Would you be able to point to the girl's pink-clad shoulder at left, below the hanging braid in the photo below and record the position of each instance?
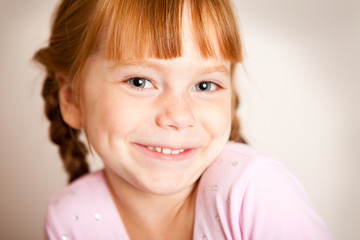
(82, 210)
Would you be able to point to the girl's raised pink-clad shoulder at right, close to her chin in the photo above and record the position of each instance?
(249, 195)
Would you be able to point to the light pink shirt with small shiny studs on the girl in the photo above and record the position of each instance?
(242, 195)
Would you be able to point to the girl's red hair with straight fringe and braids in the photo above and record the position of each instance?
(129, 29)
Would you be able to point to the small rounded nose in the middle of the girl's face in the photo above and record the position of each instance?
(175, 112)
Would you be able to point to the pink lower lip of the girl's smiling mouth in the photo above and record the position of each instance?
(166, 157)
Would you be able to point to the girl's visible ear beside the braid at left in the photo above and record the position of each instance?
(69, 108)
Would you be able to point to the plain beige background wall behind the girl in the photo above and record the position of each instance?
(300, 104)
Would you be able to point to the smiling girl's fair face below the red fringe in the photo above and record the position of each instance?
(157, 124)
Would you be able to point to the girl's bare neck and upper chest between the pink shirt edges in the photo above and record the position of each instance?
(157, 215)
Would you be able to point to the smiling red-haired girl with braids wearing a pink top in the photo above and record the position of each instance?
(150, 84)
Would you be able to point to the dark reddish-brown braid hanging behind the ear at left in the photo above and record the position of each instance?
(72, 151)
